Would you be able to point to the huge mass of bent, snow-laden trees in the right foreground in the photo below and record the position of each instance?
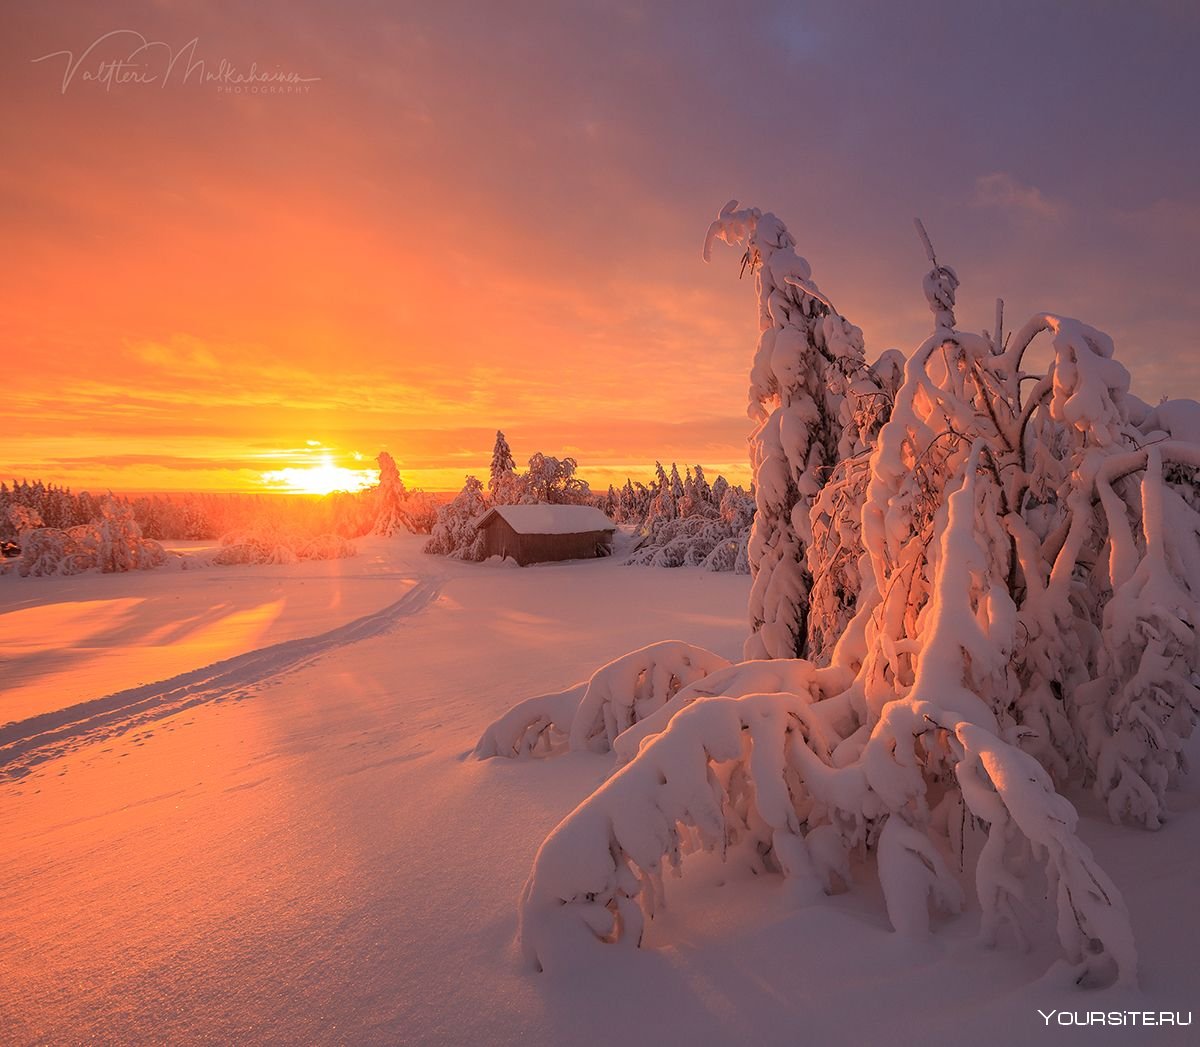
(1025, 555)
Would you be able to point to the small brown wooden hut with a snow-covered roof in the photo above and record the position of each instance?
(541, 534)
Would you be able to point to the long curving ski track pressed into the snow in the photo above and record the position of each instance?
(27, 744)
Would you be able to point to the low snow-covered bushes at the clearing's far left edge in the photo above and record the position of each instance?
(111, 543)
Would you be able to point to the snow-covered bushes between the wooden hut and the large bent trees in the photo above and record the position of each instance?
(688, 523)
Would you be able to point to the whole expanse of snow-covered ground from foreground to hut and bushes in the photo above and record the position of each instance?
(291, 845)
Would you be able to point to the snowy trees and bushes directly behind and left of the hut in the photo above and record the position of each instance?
(548, 480)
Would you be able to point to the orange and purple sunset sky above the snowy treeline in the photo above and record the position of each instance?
(469, 217)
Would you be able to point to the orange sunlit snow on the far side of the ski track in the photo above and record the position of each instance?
(65, 641)
